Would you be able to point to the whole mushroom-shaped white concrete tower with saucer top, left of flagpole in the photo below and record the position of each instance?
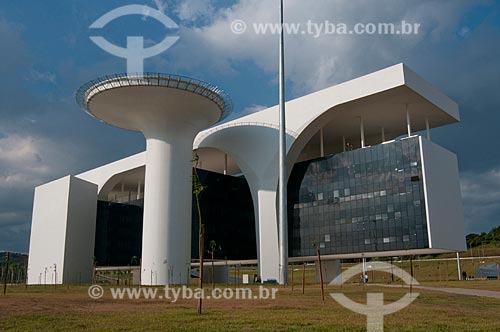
(170, 111)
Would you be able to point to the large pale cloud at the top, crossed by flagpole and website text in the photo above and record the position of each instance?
(312, 63)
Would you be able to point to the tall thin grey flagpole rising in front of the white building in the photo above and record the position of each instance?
(283, 225)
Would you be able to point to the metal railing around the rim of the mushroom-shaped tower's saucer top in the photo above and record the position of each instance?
(87, 91)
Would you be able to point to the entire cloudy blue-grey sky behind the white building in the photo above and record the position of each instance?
(46, 54)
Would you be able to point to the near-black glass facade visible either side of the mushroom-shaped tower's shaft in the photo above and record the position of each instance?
(227, 212)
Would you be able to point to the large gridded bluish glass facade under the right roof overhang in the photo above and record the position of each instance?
(365, 200)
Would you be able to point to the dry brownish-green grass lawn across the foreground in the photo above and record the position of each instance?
(41, 308)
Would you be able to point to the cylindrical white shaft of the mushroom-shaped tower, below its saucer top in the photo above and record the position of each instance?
(166, 244)
